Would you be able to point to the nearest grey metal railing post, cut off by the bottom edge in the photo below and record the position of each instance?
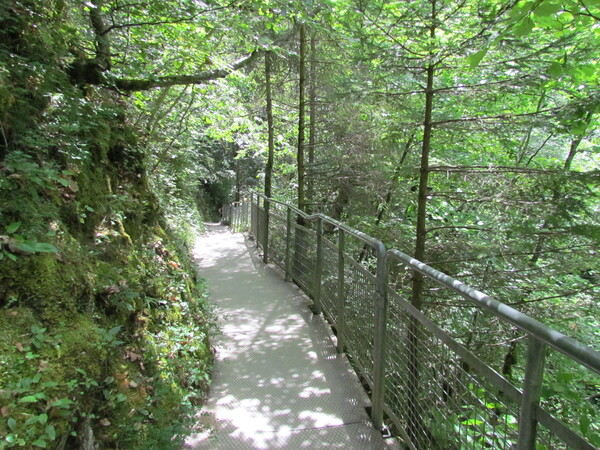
(532, 387)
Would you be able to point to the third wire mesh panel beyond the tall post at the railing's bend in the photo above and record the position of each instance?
(304, 258)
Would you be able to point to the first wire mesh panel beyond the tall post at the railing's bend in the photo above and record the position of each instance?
(359, 315)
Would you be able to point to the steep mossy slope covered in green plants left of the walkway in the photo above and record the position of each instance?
(103, 326)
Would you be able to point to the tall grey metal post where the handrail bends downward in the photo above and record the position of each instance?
(379, 340)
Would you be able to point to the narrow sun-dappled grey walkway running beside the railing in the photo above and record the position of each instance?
(278, 381)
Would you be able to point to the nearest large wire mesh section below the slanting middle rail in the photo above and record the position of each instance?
(436, 399)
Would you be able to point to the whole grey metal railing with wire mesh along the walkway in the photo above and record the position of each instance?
(436, 387)
